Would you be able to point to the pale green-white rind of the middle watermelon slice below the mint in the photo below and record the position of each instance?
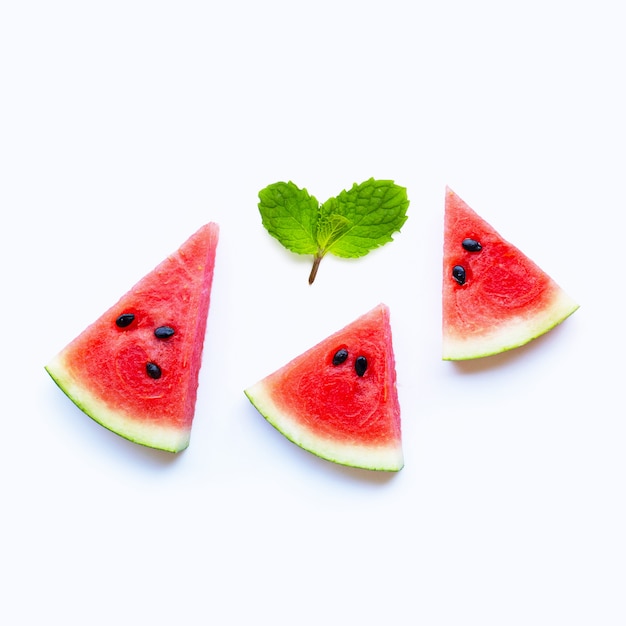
(370, 457)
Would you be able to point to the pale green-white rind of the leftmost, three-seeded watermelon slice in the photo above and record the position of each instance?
(149, 434)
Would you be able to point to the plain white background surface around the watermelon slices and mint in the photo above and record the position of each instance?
(126, 125)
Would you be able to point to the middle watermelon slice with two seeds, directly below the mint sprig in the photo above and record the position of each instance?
(339, 400)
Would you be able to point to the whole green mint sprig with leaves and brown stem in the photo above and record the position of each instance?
(349, 225)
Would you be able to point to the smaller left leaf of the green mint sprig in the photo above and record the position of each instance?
(290, 215)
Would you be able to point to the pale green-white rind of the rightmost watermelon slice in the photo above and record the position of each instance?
(512, 333)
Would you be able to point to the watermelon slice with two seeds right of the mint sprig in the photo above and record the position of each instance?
(494, 297)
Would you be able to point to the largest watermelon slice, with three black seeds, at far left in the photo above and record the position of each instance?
(135, 369)
